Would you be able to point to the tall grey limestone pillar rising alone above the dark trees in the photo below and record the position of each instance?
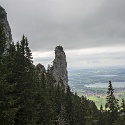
(60, 66)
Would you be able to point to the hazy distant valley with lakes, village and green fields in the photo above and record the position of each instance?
(93, 83)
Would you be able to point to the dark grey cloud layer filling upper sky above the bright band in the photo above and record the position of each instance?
(73, 24)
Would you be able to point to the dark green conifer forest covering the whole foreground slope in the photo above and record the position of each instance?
(28, 95)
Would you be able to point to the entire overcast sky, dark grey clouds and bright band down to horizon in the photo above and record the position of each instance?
(92, 32)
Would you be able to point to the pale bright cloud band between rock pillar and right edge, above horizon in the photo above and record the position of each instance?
(96, 60)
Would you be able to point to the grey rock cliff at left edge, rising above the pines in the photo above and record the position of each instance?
(6, 28)
